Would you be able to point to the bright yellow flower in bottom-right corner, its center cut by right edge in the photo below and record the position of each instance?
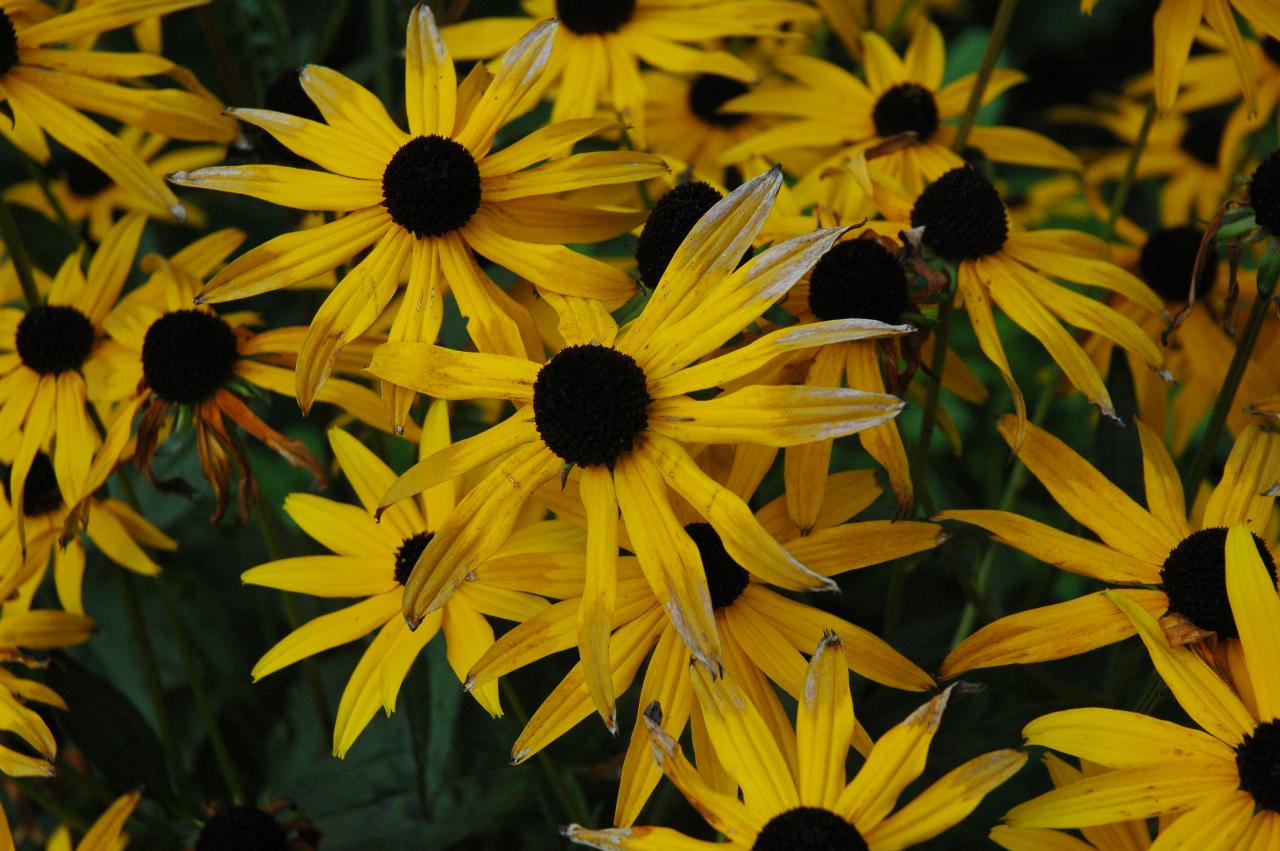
(1220, 777)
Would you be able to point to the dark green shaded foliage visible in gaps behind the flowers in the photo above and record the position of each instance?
(437, 775)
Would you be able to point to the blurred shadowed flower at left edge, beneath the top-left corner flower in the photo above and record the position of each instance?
(85, 194)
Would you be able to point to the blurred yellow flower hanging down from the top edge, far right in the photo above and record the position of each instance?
(1176, 26)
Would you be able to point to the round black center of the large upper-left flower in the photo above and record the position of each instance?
(432, 186)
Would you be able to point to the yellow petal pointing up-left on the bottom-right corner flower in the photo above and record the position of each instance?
(1208, 701)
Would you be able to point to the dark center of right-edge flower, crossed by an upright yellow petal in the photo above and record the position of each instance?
(1195, 579)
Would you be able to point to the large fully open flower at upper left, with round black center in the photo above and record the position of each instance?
(426, 200)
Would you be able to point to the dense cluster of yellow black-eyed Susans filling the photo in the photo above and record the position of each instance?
(743, 227)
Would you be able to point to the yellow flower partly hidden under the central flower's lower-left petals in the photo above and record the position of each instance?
(373, 561)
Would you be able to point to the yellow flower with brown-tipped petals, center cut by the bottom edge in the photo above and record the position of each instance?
(804, 804)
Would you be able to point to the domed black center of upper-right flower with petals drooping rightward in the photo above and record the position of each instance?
(963, 216)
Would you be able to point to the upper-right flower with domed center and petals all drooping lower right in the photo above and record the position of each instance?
(964, 222)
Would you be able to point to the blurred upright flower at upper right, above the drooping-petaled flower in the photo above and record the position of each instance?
(842, 116)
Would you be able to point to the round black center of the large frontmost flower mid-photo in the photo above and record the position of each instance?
(591, 405)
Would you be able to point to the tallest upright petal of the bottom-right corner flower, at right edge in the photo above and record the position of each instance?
(1256, 607)
